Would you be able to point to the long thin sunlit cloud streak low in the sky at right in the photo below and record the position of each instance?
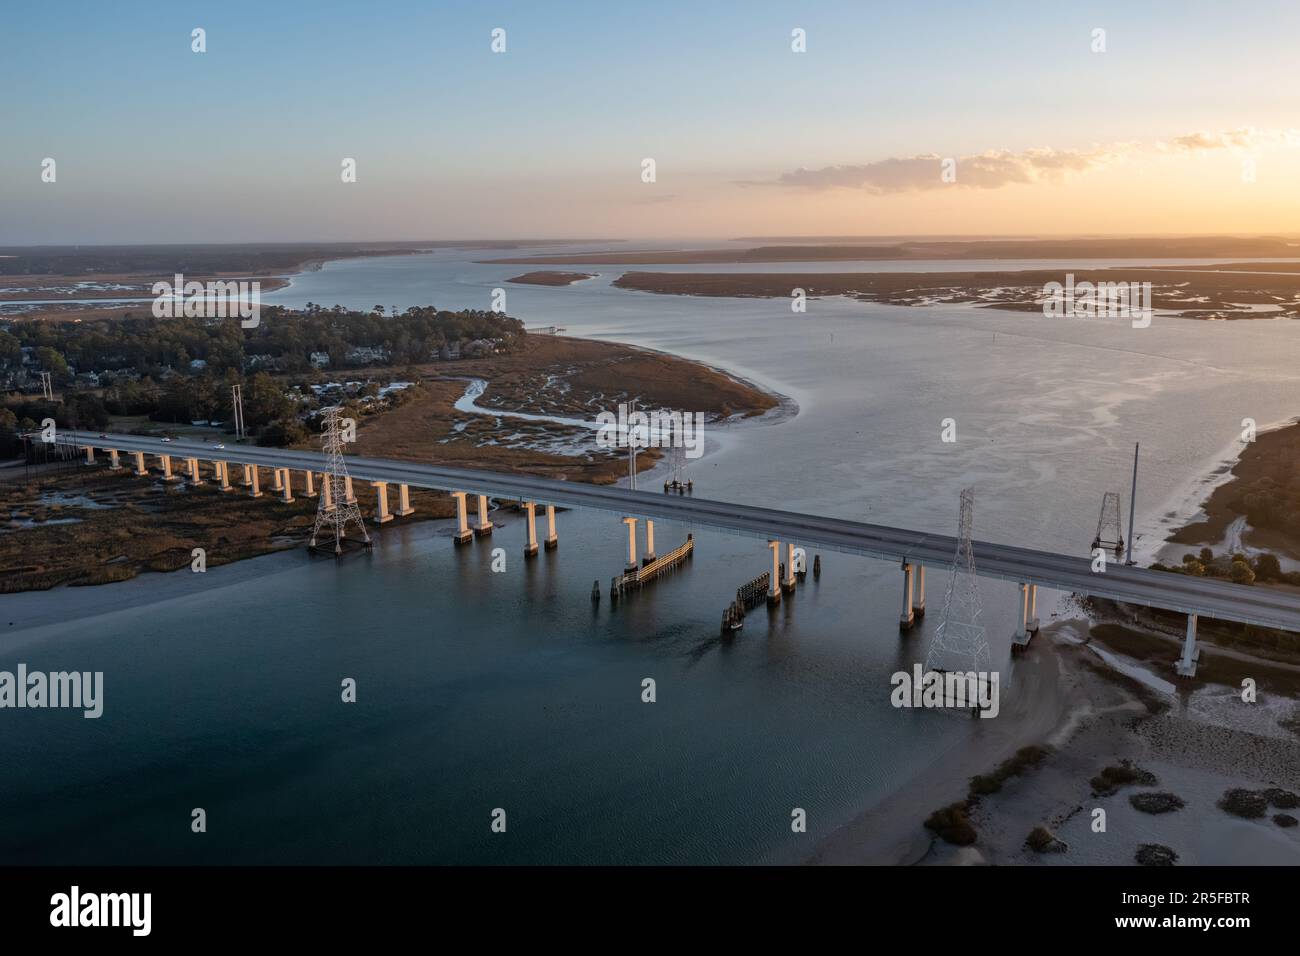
(999, 168)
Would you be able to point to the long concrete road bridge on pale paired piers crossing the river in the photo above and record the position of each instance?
(1028, 568)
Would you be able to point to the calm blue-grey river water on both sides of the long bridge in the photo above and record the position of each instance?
(482, 691)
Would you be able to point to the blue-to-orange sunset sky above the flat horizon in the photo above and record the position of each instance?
(1188, 122)
